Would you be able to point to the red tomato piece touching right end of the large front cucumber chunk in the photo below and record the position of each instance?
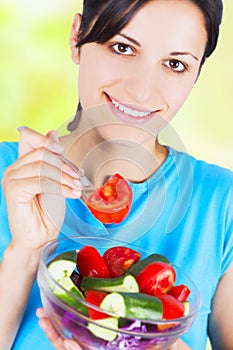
(172, 308)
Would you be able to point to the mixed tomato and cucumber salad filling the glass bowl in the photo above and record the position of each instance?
(125, 288)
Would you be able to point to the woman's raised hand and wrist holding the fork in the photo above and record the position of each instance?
(35, 187)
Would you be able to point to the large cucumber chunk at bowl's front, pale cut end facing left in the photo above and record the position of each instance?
(133, 305)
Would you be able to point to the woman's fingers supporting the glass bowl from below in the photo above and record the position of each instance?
(57, 341)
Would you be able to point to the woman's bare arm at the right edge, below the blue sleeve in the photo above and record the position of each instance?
(221, 318)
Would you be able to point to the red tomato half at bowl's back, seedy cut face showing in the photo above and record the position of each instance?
(120, 259)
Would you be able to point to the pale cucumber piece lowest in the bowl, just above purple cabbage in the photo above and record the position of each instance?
(99, 331)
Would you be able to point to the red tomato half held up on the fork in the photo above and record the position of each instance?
(111, 202)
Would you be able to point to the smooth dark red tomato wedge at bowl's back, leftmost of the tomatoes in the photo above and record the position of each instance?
(90, 263)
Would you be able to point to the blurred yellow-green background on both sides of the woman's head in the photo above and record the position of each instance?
(38, 81)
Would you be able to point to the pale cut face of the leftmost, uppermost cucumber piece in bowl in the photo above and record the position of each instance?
(61, 268)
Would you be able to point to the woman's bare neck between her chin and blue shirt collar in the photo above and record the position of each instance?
(101, 159)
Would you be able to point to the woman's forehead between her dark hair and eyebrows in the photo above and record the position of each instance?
(172, 21)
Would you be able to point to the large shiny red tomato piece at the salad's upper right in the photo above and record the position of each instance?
(156, 278)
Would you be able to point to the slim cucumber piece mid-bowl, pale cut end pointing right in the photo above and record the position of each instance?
(126, 283)
